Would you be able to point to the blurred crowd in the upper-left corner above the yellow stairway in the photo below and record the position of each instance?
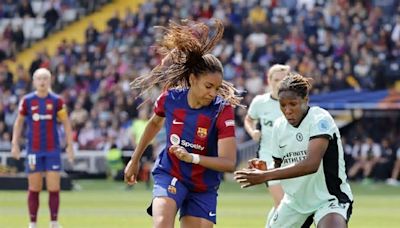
(24, 21)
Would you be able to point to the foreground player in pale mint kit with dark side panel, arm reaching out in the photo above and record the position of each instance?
(308, 150)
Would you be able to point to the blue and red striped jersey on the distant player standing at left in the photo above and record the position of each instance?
(41, 120)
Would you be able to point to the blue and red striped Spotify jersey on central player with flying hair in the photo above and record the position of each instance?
(198, 130)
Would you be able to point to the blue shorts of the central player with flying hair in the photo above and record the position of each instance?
(197, 204)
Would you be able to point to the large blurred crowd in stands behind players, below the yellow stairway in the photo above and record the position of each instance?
(340, 44)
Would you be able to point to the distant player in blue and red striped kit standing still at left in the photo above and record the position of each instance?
(41, 110)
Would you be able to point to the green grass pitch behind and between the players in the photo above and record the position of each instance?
(101, 203)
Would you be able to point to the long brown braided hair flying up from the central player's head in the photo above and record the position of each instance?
(185, 49)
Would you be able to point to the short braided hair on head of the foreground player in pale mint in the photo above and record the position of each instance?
(296, 83)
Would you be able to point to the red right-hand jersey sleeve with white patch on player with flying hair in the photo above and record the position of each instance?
(226, 123)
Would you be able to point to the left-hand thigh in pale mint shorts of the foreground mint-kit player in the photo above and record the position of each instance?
(286, 217)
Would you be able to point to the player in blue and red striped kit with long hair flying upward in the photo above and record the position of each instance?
(196, 109)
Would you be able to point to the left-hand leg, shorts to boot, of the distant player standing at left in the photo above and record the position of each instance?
(34, 168)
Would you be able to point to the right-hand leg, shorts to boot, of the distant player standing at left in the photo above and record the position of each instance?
(53, 179)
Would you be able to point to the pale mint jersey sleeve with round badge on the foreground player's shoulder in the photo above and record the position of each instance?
(322, 126)
